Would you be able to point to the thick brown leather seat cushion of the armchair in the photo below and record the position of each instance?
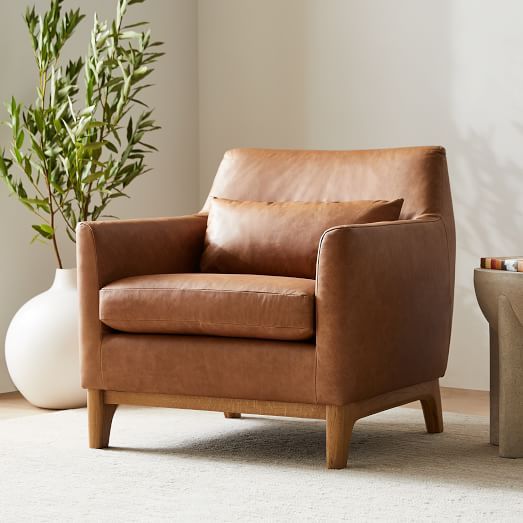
(236, 305)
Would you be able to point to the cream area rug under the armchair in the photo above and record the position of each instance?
(174, 465)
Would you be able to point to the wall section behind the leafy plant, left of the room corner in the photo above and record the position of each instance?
(172, 187)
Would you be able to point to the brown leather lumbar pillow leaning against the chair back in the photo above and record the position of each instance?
(279, 238)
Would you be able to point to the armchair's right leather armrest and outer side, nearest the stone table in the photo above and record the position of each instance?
(384, 295)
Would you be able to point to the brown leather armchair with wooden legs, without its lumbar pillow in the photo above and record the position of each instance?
(379, 309)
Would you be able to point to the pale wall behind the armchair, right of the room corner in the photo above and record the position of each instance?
(358, 74)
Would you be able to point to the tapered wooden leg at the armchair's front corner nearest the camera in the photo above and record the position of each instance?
(338, 434)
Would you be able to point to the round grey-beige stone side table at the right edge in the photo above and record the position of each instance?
(500, 297)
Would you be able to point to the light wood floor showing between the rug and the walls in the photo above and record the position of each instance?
(13, 405)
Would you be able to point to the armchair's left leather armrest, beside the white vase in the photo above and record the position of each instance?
(110, 250)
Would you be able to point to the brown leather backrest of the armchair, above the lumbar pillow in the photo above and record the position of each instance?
(417, 174)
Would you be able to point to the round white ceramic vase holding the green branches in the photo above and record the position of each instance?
(41, 346)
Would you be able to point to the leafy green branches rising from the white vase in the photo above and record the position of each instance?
(73, 152)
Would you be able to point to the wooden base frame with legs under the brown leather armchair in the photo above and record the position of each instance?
(340, 419)
